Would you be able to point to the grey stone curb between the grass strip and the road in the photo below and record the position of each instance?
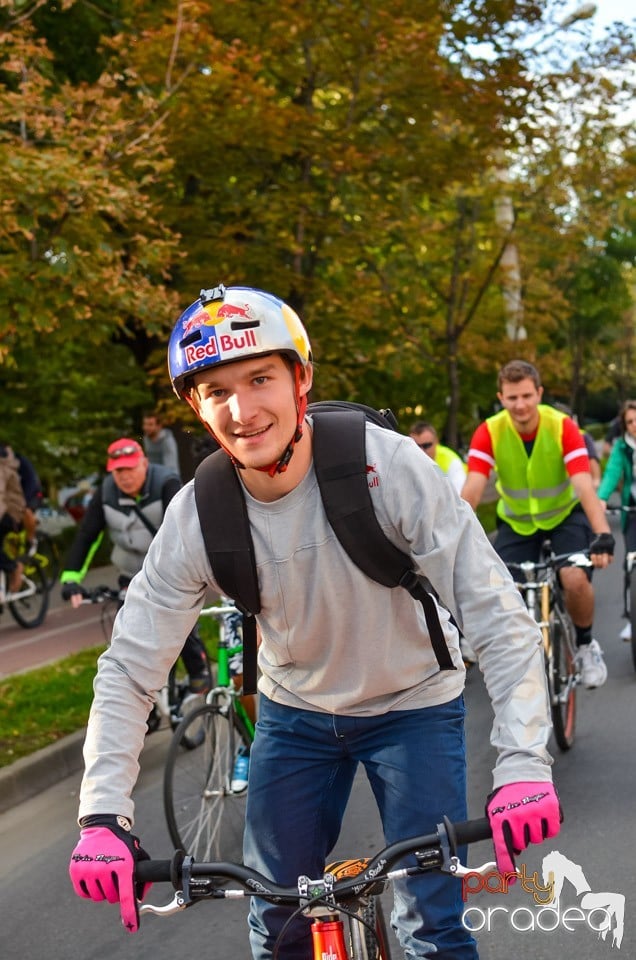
(30, 775)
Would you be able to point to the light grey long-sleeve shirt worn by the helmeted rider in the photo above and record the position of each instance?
(332, 640)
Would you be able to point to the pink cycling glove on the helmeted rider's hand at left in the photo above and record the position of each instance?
(103, 865)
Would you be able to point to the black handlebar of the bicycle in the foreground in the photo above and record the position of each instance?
(437, 846)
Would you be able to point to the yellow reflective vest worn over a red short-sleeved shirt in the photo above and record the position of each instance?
(535, 491)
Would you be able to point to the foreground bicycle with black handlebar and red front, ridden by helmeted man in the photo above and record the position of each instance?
(351, 888)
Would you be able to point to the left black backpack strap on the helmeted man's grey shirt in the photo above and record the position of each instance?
(228, 540)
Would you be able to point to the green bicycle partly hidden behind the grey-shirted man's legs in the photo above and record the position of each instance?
(204, 814)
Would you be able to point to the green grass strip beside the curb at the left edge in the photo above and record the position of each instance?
(44, 705)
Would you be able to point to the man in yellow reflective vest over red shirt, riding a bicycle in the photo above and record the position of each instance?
(545, 492)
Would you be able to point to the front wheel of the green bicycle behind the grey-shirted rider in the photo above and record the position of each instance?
(204, 817)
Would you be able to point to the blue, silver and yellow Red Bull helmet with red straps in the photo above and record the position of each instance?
(233, 323)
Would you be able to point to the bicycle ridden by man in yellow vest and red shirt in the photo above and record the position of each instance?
(543, 596)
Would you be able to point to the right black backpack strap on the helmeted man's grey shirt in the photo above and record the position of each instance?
(341, 468)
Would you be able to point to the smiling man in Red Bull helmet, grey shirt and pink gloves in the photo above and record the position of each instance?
(348, 672)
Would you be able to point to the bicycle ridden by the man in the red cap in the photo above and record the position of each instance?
(175, 697)
